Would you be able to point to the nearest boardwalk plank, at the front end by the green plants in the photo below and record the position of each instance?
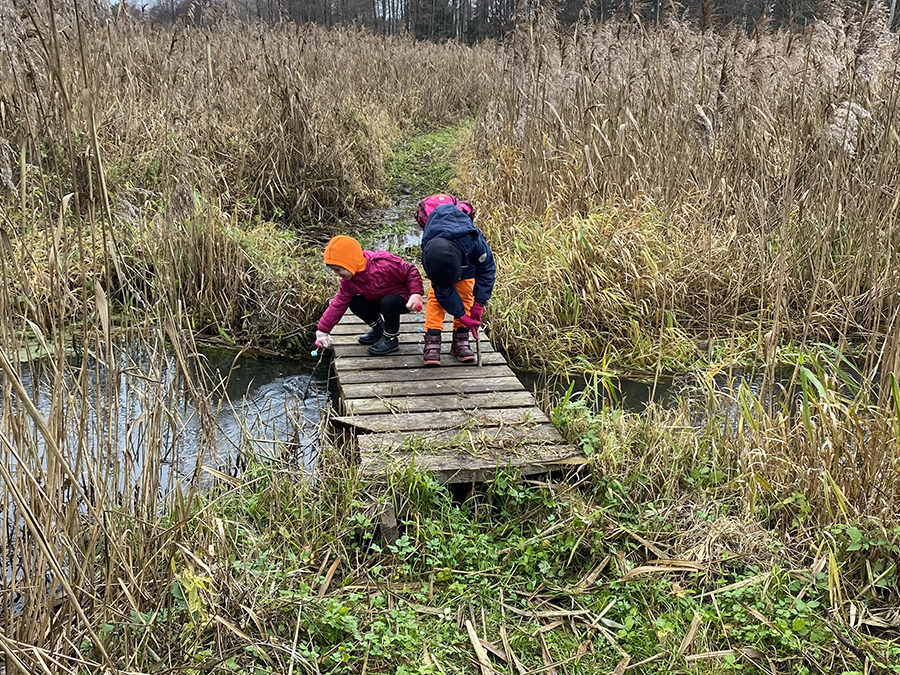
(463, 468)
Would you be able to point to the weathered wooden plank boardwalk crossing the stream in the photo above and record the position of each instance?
(459, 421)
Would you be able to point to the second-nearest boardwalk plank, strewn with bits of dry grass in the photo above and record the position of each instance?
(473, 440)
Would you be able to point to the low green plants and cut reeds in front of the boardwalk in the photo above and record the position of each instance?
(545, 562)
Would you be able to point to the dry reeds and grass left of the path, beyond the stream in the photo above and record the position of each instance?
(204, 135)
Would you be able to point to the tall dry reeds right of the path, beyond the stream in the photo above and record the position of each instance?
(669, 179)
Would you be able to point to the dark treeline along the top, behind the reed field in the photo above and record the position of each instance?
(474, 20)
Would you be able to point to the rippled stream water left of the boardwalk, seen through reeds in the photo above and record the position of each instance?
(231, 406)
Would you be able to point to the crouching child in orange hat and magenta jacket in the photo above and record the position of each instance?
(376, 286)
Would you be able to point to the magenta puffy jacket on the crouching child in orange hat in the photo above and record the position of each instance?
(385, 274)
